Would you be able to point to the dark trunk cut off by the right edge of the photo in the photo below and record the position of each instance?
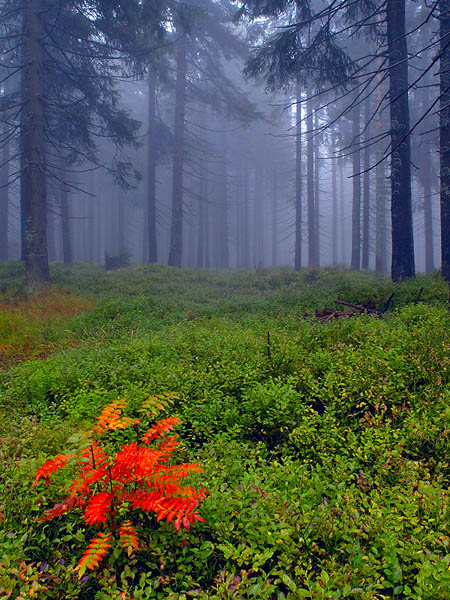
(444, 126)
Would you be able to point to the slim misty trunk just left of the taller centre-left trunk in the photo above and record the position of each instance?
(151, 170)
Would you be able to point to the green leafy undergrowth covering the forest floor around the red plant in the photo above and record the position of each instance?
(324, 445)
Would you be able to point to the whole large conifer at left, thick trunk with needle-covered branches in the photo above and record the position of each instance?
(69, 55)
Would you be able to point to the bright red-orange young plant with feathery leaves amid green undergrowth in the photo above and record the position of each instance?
(112, 484)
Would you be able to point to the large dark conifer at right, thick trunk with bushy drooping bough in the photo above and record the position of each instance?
(310, 44)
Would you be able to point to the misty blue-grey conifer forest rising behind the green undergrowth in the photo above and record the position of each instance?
(225, 134)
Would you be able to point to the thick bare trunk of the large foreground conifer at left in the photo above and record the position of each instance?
(33, 184)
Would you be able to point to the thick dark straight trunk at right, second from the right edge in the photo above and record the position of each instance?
(401, 211)
